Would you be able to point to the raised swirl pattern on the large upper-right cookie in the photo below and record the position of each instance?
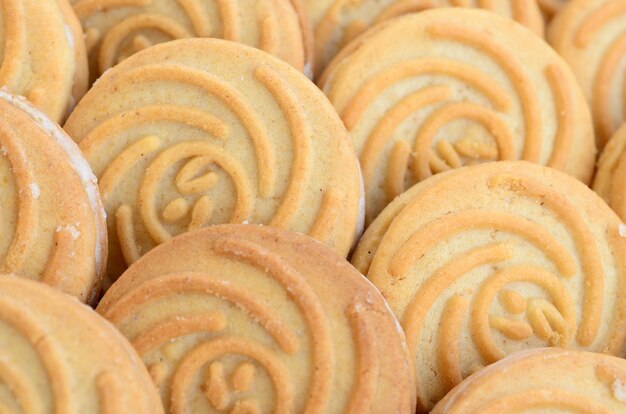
(414, 158)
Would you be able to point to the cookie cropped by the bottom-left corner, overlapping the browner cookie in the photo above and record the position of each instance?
(59, 356)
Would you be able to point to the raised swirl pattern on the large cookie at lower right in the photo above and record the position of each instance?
(480, 320)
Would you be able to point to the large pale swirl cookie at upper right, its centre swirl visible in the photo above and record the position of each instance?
(440, 89)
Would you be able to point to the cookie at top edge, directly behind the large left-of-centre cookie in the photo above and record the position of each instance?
(117, 29)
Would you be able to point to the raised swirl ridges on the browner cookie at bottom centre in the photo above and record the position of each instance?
(205, 369)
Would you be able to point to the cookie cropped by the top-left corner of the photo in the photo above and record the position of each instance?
(42, 54)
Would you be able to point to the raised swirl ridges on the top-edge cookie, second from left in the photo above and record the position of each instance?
(129, 35)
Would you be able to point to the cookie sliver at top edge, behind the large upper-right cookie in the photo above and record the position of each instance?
(337, 22)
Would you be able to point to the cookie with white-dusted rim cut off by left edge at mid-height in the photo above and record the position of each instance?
(53, 227)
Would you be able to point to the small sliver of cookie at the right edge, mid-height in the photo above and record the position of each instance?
(610, 179)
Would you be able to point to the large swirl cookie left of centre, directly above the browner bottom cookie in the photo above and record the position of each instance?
(203, 131)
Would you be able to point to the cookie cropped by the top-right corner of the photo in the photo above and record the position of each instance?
(590, 36)
